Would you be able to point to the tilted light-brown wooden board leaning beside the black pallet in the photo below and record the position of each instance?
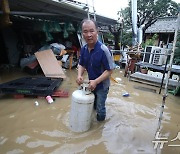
(49, 64)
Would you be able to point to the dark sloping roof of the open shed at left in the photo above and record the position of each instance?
(53, 10)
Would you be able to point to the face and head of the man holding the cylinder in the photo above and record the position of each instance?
(89, 32)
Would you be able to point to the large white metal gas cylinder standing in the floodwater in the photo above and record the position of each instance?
(81, 110)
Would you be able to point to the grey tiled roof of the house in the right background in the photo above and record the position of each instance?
(163, 25)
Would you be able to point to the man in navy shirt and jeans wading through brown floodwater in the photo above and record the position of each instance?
(96, 58)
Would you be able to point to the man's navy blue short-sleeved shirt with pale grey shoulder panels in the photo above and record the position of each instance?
(96, 62)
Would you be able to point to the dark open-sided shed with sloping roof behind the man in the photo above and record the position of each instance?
(36, 25)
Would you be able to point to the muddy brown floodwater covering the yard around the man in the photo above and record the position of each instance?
(129, 128)
